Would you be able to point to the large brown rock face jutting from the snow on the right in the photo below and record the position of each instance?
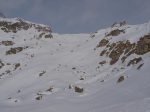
(121, 50)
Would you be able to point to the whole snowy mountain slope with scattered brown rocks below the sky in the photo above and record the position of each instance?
(106, 71)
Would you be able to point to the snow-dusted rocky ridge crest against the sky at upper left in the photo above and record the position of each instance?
(20, 24)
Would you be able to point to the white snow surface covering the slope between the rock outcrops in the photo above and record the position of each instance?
(63, 60)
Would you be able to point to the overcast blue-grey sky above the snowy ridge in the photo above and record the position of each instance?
(78, 16)
